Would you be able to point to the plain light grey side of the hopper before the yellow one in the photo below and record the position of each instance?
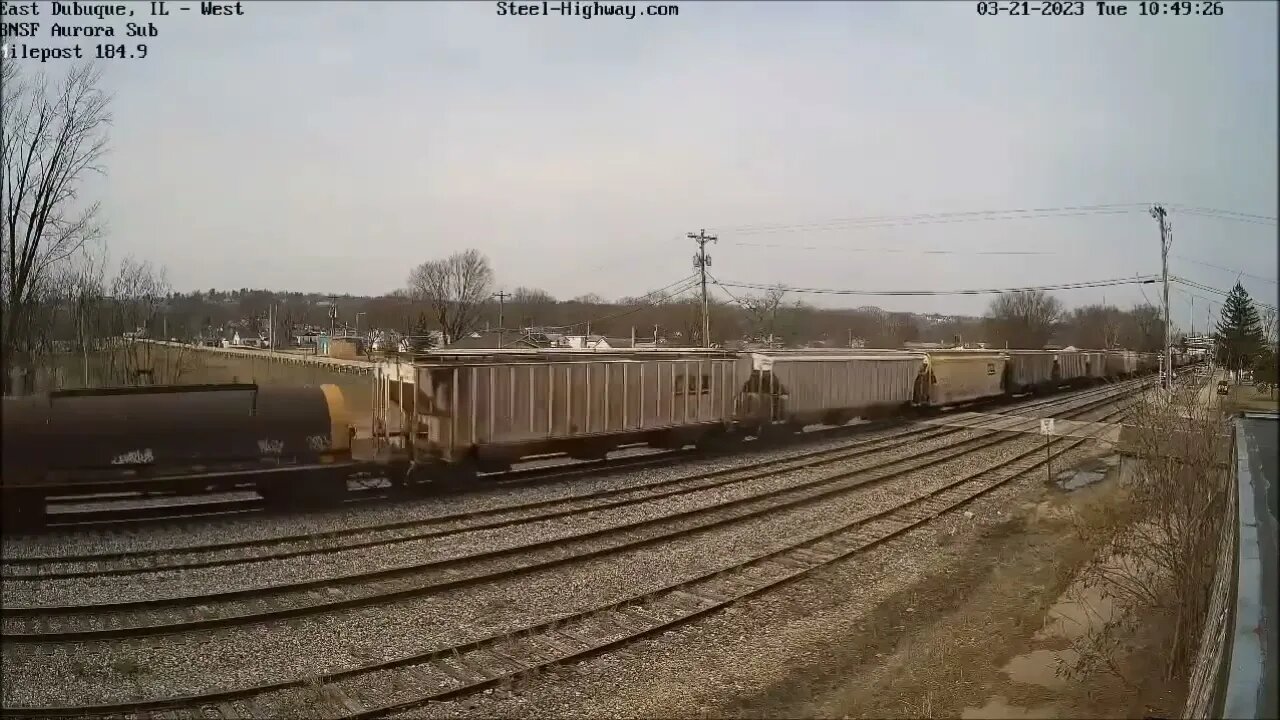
(828, 382)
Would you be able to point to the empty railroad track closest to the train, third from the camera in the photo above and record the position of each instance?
(97, 566)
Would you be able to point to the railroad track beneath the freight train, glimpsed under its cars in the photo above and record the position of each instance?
(196, 508)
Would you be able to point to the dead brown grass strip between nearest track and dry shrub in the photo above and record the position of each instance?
(940, 646)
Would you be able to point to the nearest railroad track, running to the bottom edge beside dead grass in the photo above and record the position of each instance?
(405, 683)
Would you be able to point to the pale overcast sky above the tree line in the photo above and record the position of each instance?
(330, 147)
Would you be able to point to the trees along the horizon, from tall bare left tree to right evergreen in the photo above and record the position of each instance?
(57, 297)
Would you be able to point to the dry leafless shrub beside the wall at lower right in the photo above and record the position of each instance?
(1164, 537)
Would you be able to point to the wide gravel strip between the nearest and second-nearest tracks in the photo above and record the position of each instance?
(104, 672)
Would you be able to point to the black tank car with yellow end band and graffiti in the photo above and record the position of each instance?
(287, 443)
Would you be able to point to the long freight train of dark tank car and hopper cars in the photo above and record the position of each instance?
(454, 414)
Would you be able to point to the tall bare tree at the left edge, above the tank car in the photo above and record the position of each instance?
(51, 142)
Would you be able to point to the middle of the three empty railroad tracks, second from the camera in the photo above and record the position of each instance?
(264, 604)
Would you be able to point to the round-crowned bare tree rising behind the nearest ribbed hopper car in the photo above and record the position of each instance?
(456, 289)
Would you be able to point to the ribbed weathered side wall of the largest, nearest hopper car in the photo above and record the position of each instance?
(478, 404)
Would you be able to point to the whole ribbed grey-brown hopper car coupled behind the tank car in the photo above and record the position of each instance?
(487, 412)
